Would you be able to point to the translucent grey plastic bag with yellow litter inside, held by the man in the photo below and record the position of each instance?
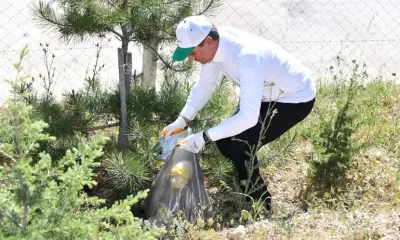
(178, 186)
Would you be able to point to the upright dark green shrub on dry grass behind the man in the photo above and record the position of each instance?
(334, 144)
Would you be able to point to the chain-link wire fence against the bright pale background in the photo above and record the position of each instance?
(315, 31)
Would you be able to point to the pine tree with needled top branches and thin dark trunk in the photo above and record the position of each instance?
(139, 21)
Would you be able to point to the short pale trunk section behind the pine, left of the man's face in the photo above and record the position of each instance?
(149, 67)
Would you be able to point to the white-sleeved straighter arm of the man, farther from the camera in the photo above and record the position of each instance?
(201, 91)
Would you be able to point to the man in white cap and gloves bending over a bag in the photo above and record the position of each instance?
(275, 89)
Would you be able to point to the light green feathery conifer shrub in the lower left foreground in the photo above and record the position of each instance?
(41, 200)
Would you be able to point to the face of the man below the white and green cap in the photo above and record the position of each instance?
(204, 54)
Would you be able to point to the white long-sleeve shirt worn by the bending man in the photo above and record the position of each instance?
(264, 72)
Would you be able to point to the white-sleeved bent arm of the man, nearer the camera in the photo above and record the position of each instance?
(252, 75)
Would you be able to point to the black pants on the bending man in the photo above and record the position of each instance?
(286, 116)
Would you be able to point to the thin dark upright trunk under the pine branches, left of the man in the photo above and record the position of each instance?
(122, 140)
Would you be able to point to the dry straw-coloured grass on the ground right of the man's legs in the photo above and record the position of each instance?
(367, 209)
